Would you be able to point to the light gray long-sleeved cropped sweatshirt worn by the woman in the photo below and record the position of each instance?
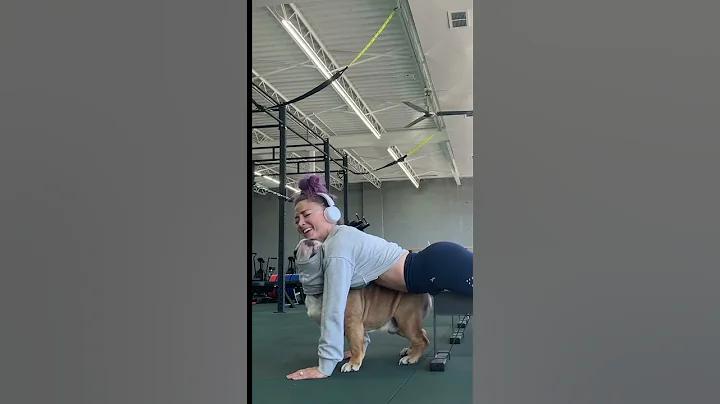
(350, 258)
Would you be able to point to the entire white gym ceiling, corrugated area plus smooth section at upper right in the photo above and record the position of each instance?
(390, 72)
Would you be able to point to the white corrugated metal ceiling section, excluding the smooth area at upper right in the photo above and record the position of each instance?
(387, 75)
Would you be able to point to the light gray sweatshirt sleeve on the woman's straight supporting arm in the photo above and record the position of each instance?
(338, 275)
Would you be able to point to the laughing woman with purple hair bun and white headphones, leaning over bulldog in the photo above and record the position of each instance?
(352, 259)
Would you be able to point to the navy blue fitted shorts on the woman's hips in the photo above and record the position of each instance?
(441, 266)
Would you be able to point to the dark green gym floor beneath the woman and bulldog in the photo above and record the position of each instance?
(284, 343)
